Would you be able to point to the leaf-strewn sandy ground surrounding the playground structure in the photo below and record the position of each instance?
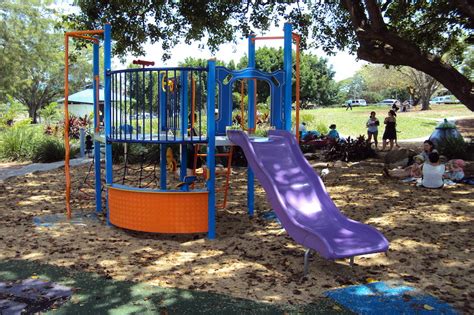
(430, 232)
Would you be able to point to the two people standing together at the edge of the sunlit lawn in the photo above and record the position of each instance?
(390, 132)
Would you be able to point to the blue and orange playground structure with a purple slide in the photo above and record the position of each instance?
(192, 106)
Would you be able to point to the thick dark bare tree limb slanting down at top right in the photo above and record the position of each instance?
(379, 45)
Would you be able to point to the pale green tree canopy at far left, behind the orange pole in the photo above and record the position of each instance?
(32, 58)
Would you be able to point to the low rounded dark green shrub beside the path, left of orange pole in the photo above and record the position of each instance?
(49, 149)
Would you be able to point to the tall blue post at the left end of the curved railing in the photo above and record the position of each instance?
(107, 106)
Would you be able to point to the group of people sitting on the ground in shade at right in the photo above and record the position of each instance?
(428, 170)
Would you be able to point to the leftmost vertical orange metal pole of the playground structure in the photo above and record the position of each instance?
(66, 126)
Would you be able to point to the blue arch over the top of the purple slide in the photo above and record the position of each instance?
(225, 94)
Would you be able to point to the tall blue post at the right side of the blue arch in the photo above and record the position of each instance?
(287, 61)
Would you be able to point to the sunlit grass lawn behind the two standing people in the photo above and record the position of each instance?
(414, 124)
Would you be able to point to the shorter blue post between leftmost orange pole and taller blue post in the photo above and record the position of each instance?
(98, 183)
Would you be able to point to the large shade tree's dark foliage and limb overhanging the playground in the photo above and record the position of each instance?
(418, 34)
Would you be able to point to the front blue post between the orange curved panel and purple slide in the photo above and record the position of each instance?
(211, 147)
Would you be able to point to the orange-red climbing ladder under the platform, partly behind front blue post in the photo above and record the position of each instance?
(223, 173)
